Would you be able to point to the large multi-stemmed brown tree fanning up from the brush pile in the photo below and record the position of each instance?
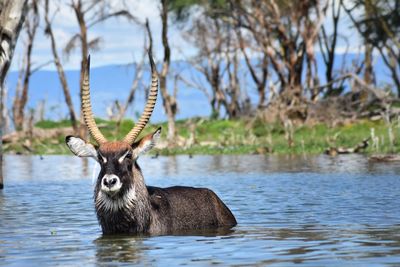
(285, 33)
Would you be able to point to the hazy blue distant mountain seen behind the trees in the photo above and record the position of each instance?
(110, 83)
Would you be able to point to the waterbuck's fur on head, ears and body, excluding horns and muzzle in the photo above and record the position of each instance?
(140, 209)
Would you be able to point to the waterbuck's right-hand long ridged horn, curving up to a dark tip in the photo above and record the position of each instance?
(148, 109)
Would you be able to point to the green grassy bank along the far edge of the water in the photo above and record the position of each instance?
(202, 136)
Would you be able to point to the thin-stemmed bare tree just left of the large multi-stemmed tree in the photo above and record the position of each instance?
(218, 61)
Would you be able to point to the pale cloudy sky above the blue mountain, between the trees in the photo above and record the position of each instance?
(123, 41)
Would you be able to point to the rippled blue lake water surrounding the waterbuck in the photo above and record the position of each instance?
(314, 211)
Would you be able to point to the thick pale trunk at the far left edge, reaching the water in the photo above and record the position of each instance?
(11, 18)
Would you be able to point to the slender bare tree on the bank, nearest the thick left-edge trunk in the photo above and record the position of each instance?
(21, 95)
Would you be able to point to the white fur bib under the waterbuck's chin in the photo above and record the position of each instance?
(107, 203)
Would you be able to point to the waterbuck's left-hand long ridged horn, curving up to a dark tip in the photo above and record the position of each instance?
(86, 107)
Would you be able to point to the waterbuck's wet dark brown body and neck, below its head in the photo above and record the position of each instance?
(141, 209)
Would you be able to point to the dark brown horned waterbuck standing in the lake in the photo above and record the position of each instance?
(123, 202)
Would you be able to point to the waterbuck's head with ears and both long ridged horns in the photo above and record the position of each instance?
(116, 158)
